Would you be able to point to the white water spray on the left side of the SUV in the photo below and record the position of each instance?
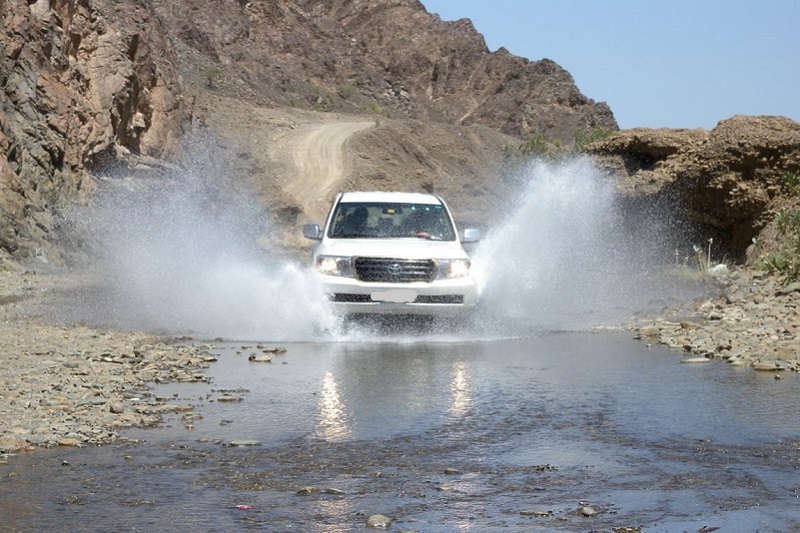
(180, 255)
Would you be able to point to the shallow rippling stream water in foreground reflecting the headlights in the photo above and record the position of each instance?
(538, 424)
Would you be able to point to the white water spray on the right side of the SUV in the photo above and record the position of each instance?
(565, 257)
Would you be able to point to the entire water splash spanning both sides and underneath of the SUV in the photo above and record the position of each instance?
(182, 257)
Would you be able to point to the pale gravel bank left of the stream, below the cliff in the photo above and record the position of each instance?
(74, 384)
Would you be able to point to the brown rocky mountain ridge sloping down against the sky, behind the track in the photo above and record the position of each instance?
(391, 57)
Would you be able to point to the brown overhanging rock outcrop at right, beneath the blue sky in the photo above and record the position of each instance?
(728, 182)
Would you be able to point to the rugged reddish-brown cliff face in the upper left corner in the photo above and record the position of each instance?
(84, 82)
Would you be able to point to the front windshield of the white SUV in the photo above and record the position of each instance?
(390, 221)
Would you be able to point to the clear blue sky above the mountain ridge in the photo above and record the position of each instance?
(656, 63)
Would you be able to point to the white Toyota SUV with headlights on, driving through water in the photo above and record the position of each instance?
(393, 253)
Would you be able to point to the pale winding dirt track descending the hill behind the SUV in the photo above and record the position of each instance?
(318, 155)
